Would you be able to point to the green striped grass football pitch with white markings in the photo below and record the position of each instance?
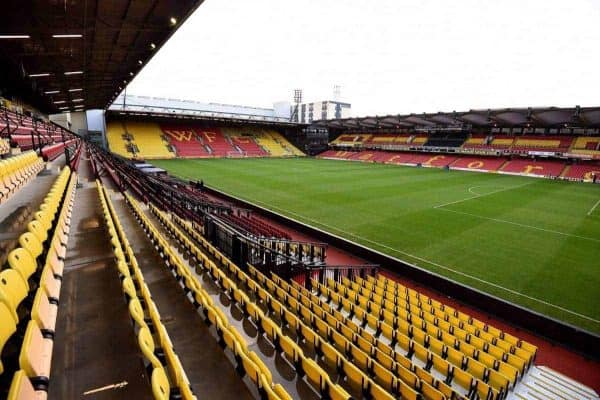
(535, 242)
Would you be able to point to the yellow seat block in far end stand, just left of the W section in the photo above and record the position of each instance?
(149, 140)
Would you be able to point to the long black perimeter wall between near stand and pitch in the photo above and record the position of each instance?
(572, 337)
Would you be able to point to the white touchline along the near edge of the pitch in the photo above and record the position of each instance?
(430, 262)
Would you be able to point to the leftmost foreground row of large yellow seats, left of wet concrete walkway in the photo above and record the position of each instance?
(30, 293)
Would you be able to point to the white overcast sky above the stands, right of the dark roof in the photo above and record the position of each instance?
(389, 56)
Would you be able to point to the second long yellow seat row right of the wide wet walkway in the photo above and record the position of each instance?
(248, 361)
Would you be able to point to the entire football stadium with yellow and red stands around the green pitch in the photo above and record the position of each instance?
(159, 248)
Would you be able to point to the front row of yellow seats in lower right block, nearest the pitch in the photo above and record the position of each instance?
(475, 327)
